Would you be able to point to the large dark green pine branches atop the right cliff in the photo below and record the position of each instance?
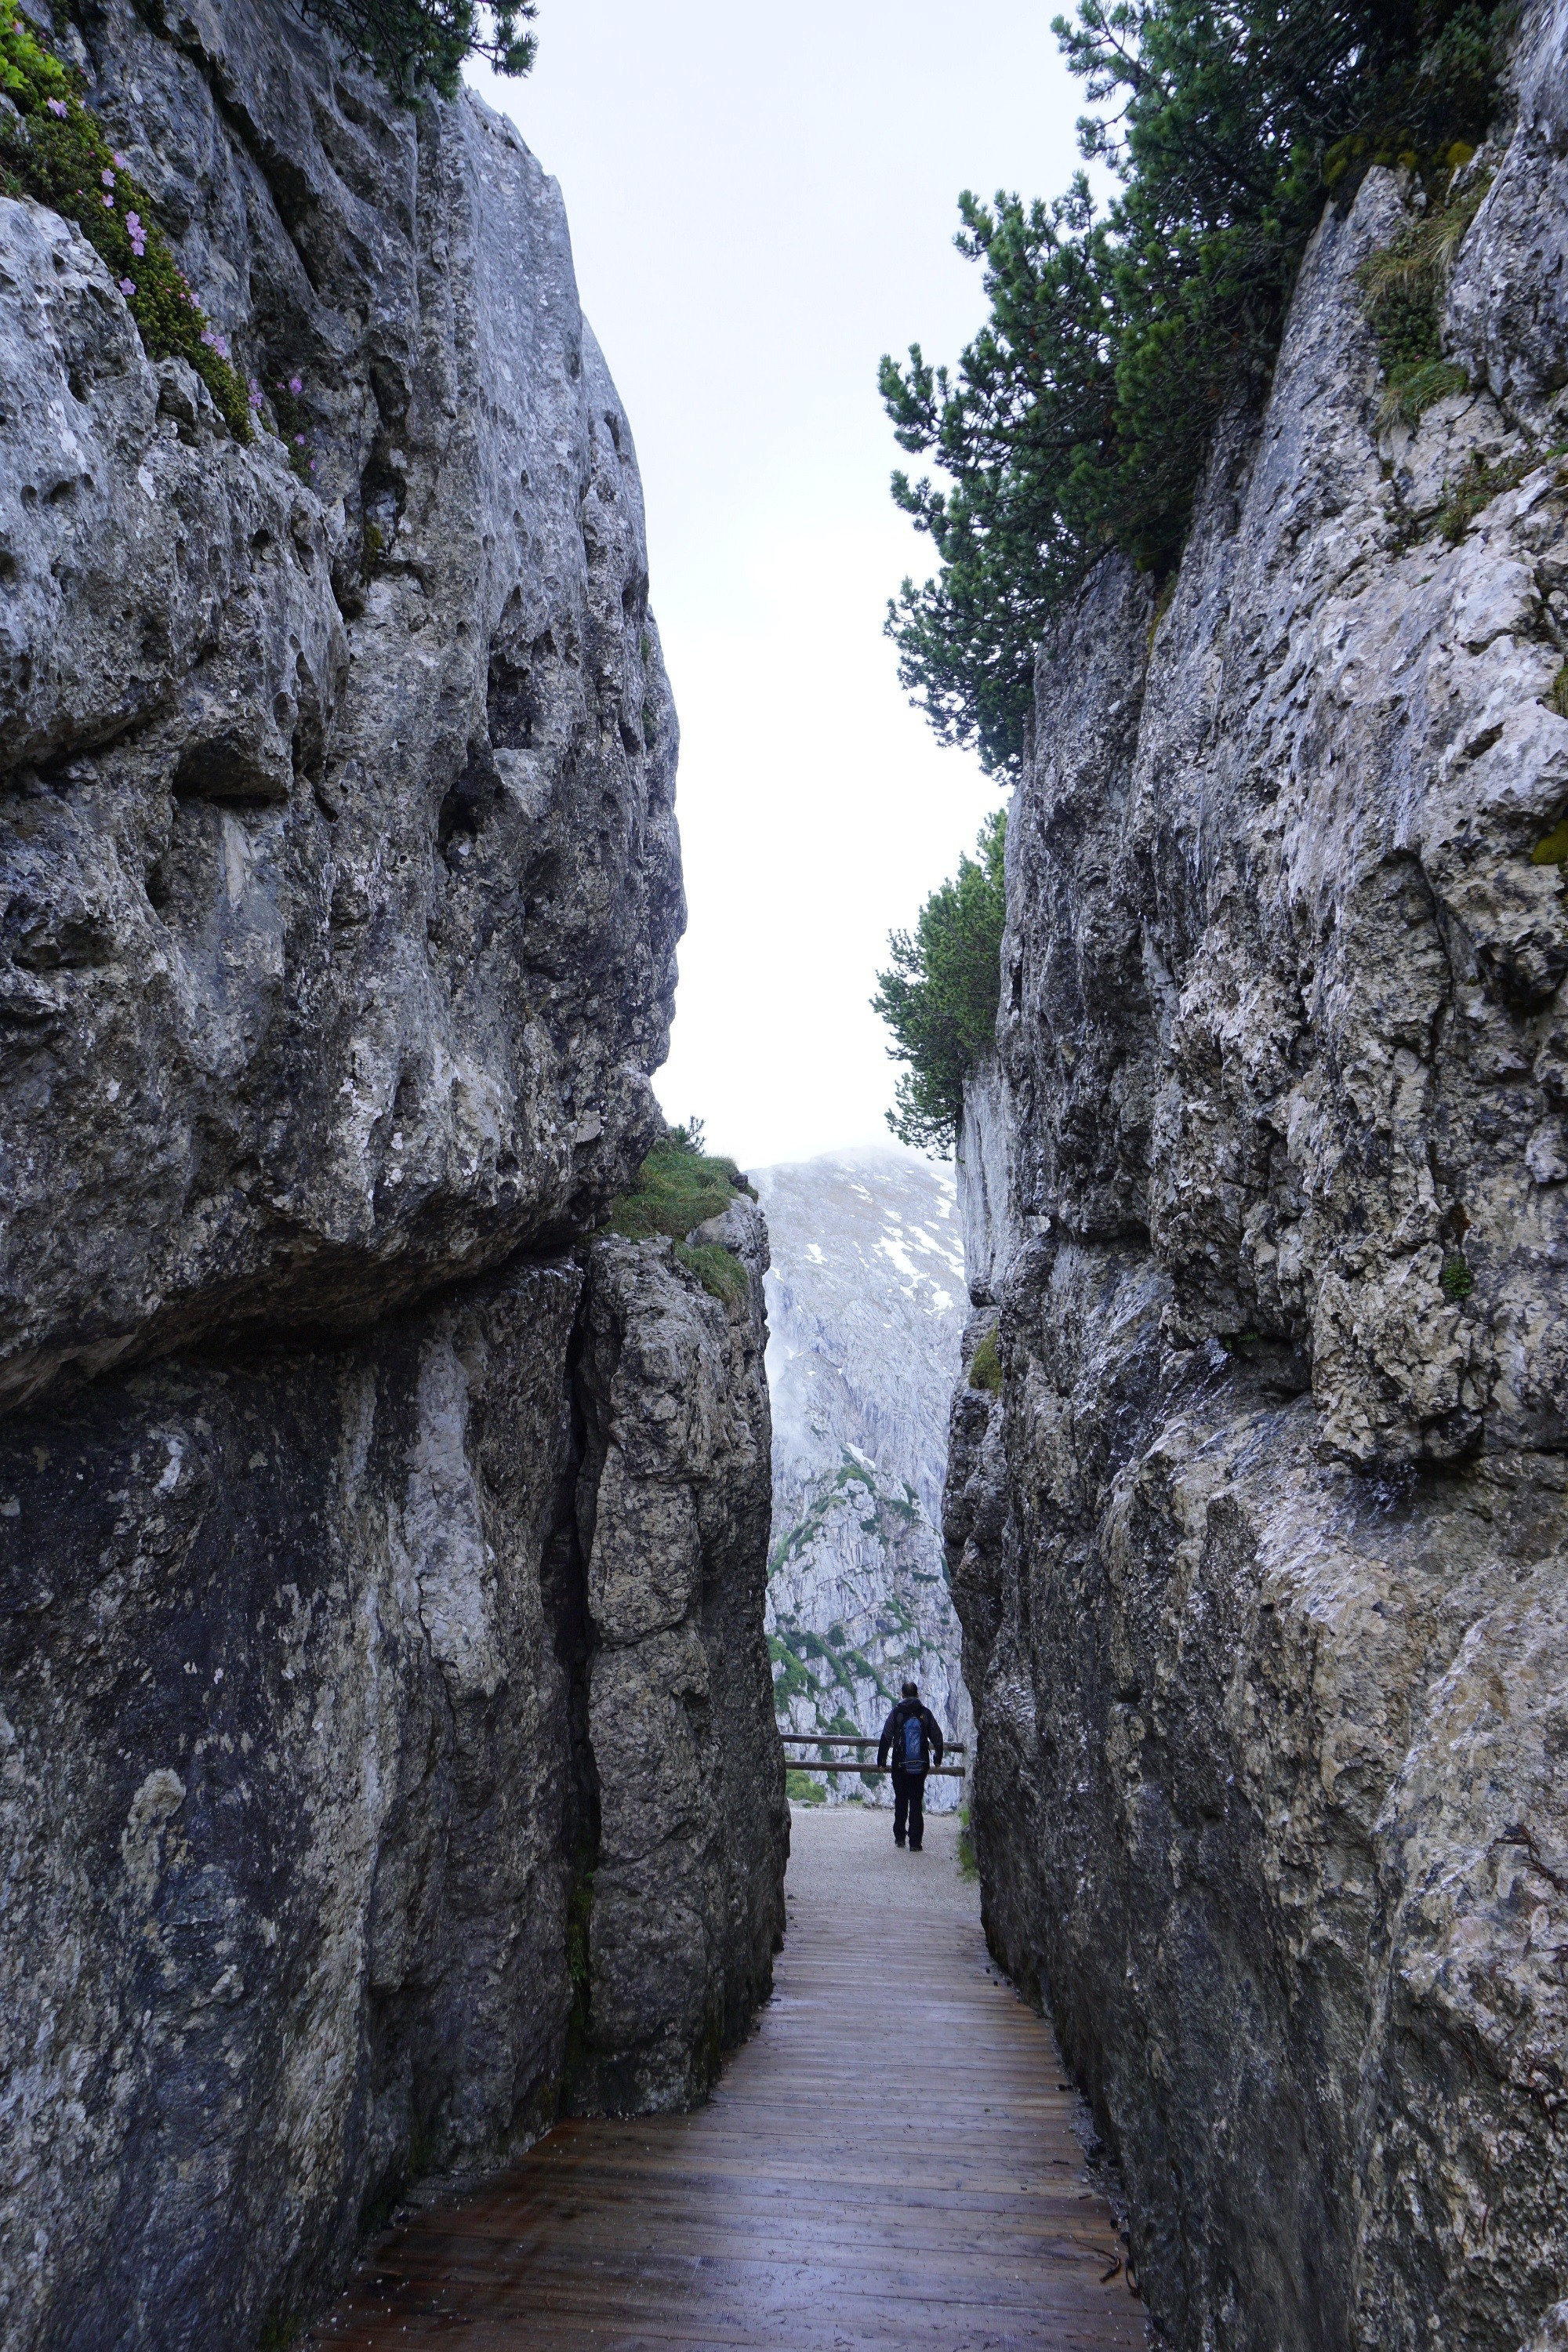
(1118, 338)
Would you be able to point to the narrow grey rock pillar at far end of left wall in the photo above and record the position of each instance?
(690, 1815)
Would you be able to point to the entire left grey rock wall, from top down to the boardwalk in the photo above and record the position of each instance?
(384, 1709)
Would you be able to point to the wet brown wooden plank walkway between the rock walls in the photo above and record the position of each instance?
(887, 2163)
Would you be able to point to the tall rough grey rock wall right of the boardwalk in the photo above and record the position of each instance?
(1261, 1549)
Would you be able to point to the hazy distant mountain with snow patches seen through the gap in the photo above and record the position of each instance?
(866, 1307)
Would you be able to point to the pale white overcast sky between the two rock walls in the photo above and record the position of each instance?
(760, 203)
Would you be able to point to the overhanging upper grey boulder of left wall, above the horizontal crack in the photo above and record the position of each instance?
(342, 867)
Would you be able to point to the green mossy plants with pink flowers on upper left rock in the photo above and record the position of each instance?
(60, 156)
